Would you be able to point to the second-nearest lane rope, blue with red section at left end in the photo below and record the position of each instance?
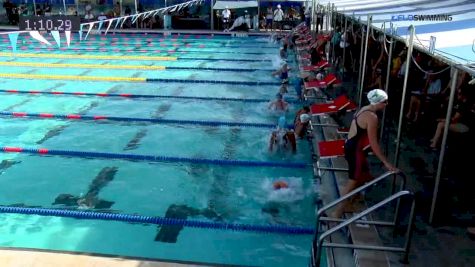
(152, 158)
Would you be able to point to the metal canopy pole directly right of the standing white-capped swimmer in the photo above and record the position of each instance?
(410, 47)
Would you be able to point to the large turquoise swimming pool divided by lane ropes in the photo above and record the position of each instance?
(232, 85)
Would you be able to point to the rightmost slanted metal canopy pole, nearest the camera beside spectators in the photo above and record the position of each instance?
(444, 142)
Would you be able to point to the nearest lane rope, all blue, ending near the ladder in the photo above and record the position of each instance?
(129, 218)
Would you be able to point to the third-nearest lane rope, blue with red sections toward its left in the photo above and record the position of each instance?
(130, 119)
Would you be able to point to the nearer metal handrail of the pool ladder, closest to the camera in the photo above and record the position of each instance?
(316, 256)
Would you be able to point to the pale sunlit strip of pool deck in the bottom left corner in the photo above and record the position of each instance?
(34, 258)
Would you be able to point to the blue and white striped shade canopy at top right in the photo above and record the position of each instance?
(454, 30)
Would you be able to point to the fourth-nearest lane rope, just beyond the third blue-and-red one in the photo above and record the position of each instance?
(58, 93)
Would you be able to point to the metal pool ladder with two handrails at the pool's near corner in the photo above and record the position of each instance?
(319, 238)
